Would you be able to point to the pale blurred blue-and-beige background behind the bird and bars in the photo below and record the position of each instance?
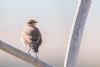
(55, 19)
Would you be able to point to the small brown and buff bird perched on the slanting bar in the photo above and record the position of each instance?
(31, 36)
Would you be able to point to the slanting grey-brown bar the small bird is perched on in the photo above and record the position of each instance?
(22, 55)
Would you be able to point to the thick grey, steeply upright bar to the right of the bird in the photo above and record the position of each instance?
(76, 33)
